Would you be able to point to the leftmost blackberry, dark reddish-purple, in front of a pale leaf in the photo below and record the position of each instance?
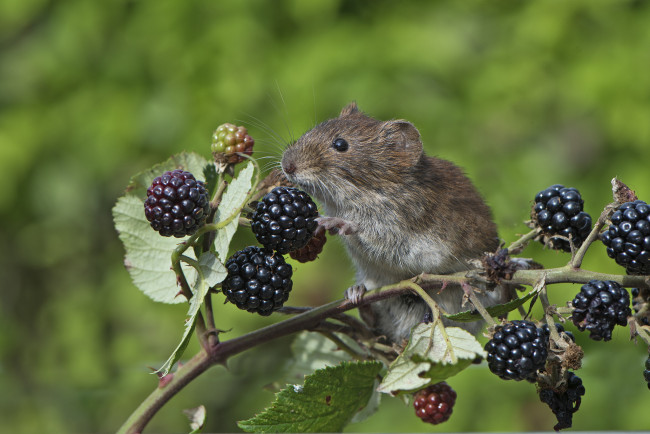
(177, 204)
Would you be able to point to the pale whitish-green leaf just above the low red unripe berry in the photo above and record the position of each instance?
(433, 354)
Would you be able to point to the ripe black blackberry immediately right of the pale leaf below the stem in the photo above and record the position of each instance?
(517, 350)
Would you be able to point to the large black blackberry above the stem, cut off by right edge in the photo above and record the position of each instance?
(628, 237)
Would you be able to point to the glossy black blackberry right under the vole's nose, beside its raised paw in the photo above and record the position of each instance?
(285, 219)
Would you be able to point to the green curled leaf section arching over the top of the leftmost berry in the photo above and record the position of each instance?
(188, 161)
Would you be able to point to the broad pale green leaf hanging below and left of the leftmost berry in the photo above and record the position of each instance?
(148, 255)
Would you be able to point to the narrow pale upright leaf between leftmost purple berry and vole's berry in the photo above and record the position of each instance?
(231, 202)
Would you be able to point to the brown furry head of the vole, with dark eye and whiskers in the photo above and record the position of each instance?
(352, 154)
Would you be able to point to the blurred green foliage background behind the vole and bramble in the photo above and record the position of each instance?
(521, 94)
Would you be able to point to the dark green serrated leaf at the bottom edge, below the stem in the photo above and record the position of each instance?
(325, 403)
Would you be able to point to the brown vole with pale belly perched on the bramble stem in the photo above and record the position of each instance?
(399, 212)
